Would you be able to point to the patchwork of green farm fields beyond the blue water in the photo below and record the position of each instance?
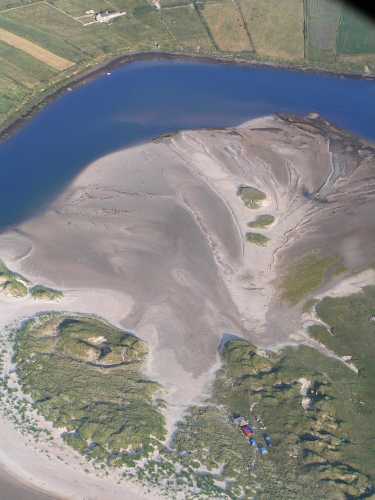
(318, 33)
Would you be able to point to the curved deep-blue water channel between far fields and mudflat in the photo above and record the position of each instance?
(142, 100)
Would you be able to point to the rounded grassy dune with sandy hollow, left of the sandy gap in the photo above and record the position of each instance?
(86, 377)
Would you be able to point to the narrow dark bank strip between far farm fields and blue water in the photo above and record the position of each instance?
(31, 109)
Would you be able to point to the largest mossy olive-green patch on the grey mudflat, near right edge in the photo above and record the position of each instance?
(307, 275)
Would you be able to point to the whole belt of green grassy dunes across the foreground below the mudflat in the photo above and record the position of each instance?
(86, 377)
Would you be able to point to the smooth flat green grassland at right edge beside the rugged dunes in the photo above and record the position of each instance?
(351, 335)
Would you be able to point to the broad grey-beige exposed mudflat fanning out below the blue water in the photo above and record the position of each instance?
(162, 223)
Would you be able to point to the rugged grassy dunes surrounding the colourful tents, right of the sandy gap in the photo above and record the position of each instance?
(307, 403)
